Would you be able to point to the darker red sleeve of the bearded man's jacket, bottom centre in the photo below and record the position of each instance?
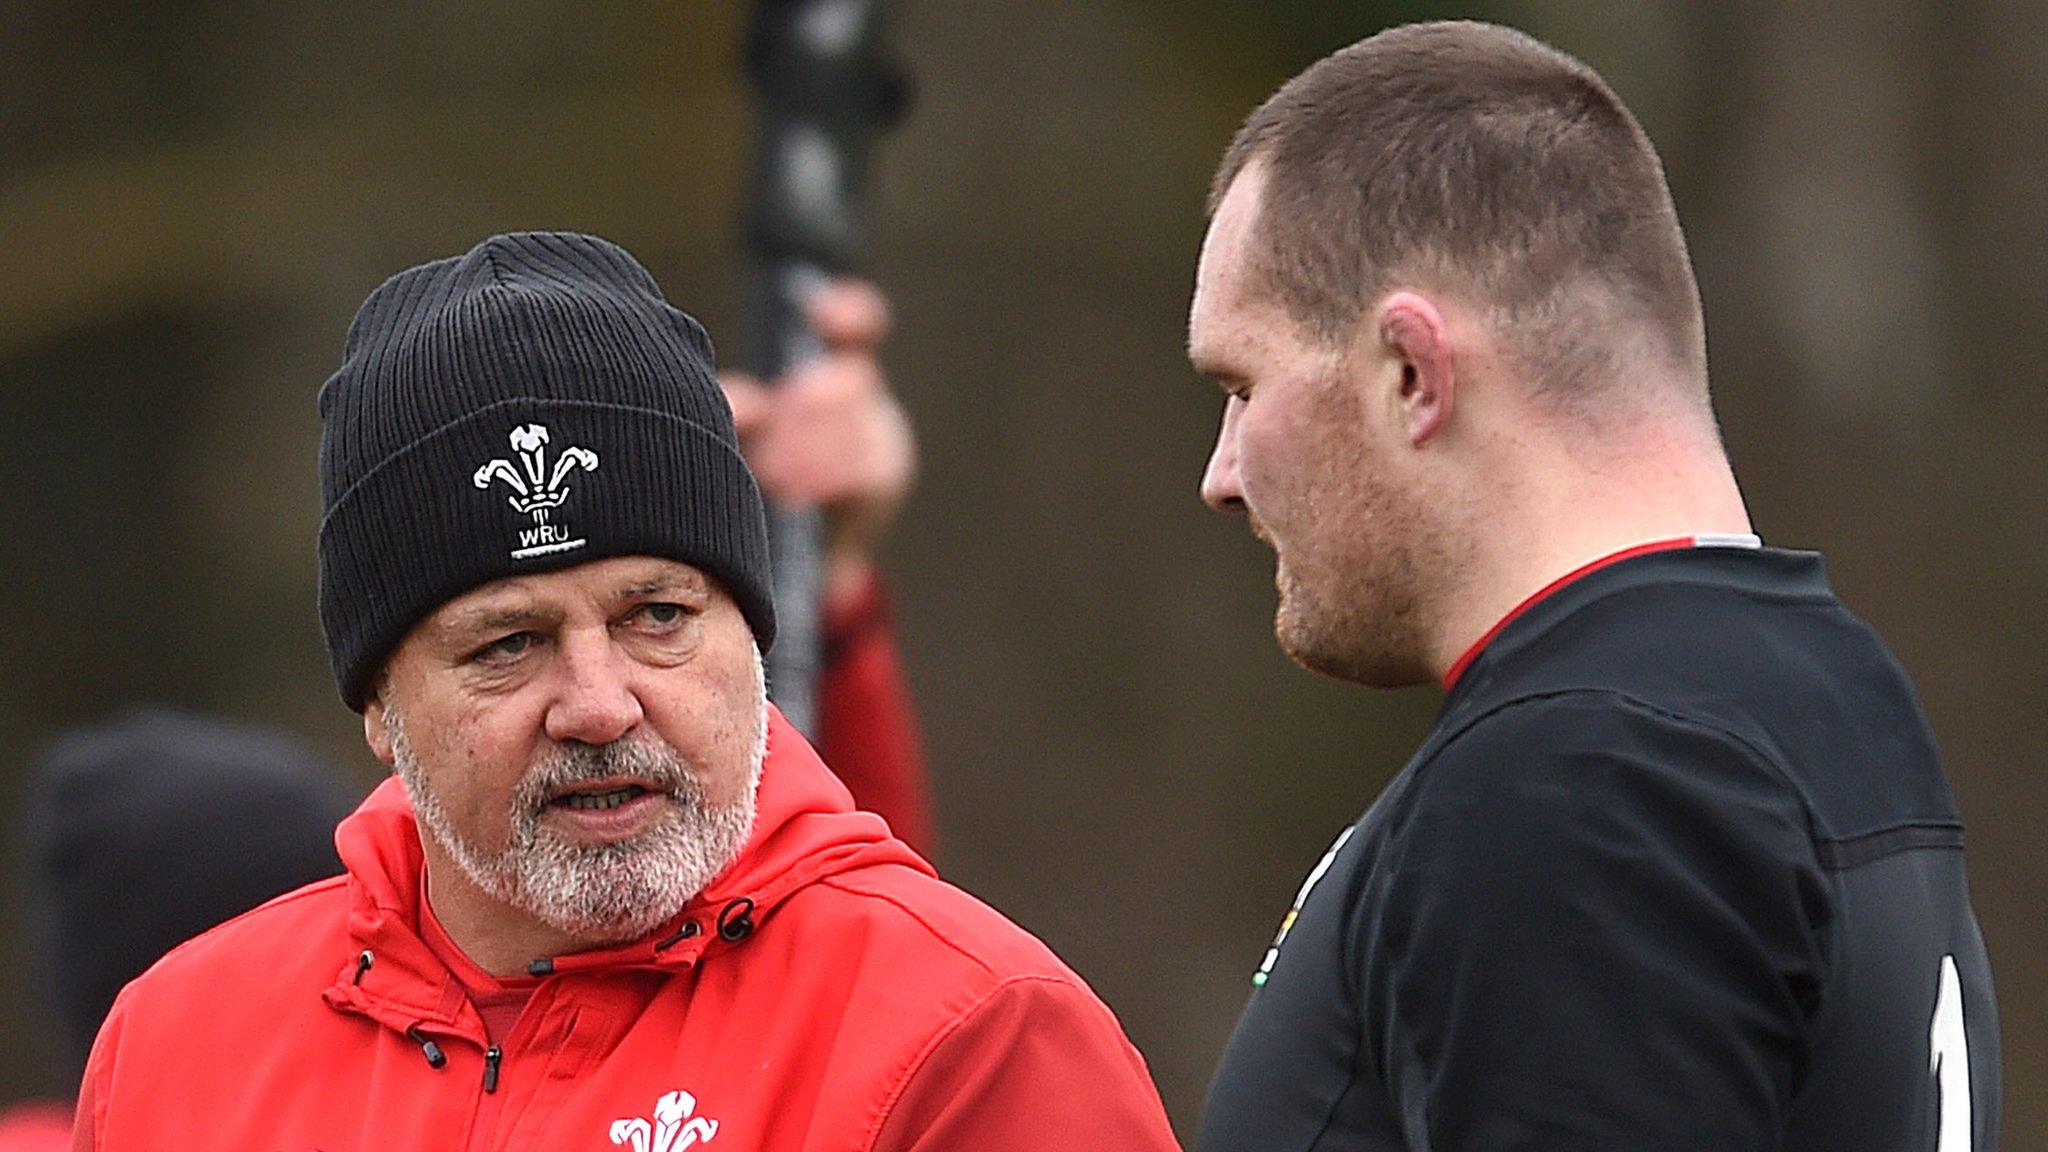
(1039, 1065)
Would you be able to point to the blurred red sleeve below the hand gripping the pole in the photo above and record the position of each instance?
(867, 729)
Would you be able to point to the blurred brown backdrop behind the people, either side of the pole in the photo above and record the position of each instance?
(196, 198)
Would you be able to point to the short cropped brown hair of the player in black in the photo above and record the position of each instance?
(1476, 161)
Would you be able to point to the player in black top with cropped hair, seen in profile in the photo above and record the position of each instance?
(1678, 866)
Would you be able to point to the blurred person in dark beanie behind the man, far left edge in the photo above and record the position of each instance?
(142, 833)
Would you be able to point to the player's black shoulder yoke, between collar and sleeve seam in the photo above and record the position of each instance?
(1752, 645)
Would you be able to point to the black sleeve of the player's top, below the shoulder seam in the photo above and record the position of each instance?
(1603, 930)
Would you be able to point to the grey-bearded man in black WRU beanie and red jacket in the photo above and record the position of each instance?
(611, 897)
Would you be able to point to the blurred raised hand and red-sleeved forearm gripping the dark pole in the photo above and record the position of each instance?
(835, 438)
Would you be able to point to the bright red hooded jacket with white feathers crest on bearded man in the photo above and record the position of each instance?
(826, 995)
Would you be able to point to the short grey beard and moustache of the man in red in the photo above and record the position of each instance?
(597, 895)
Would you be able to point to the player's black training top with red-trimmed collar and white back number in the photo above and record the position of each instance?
(1676, 870)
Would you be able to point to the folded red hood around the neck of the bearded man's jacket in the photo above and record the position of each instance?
(806, 829)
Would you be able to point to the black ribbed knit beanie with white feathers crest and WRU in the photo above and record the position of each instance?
(527, 407)
